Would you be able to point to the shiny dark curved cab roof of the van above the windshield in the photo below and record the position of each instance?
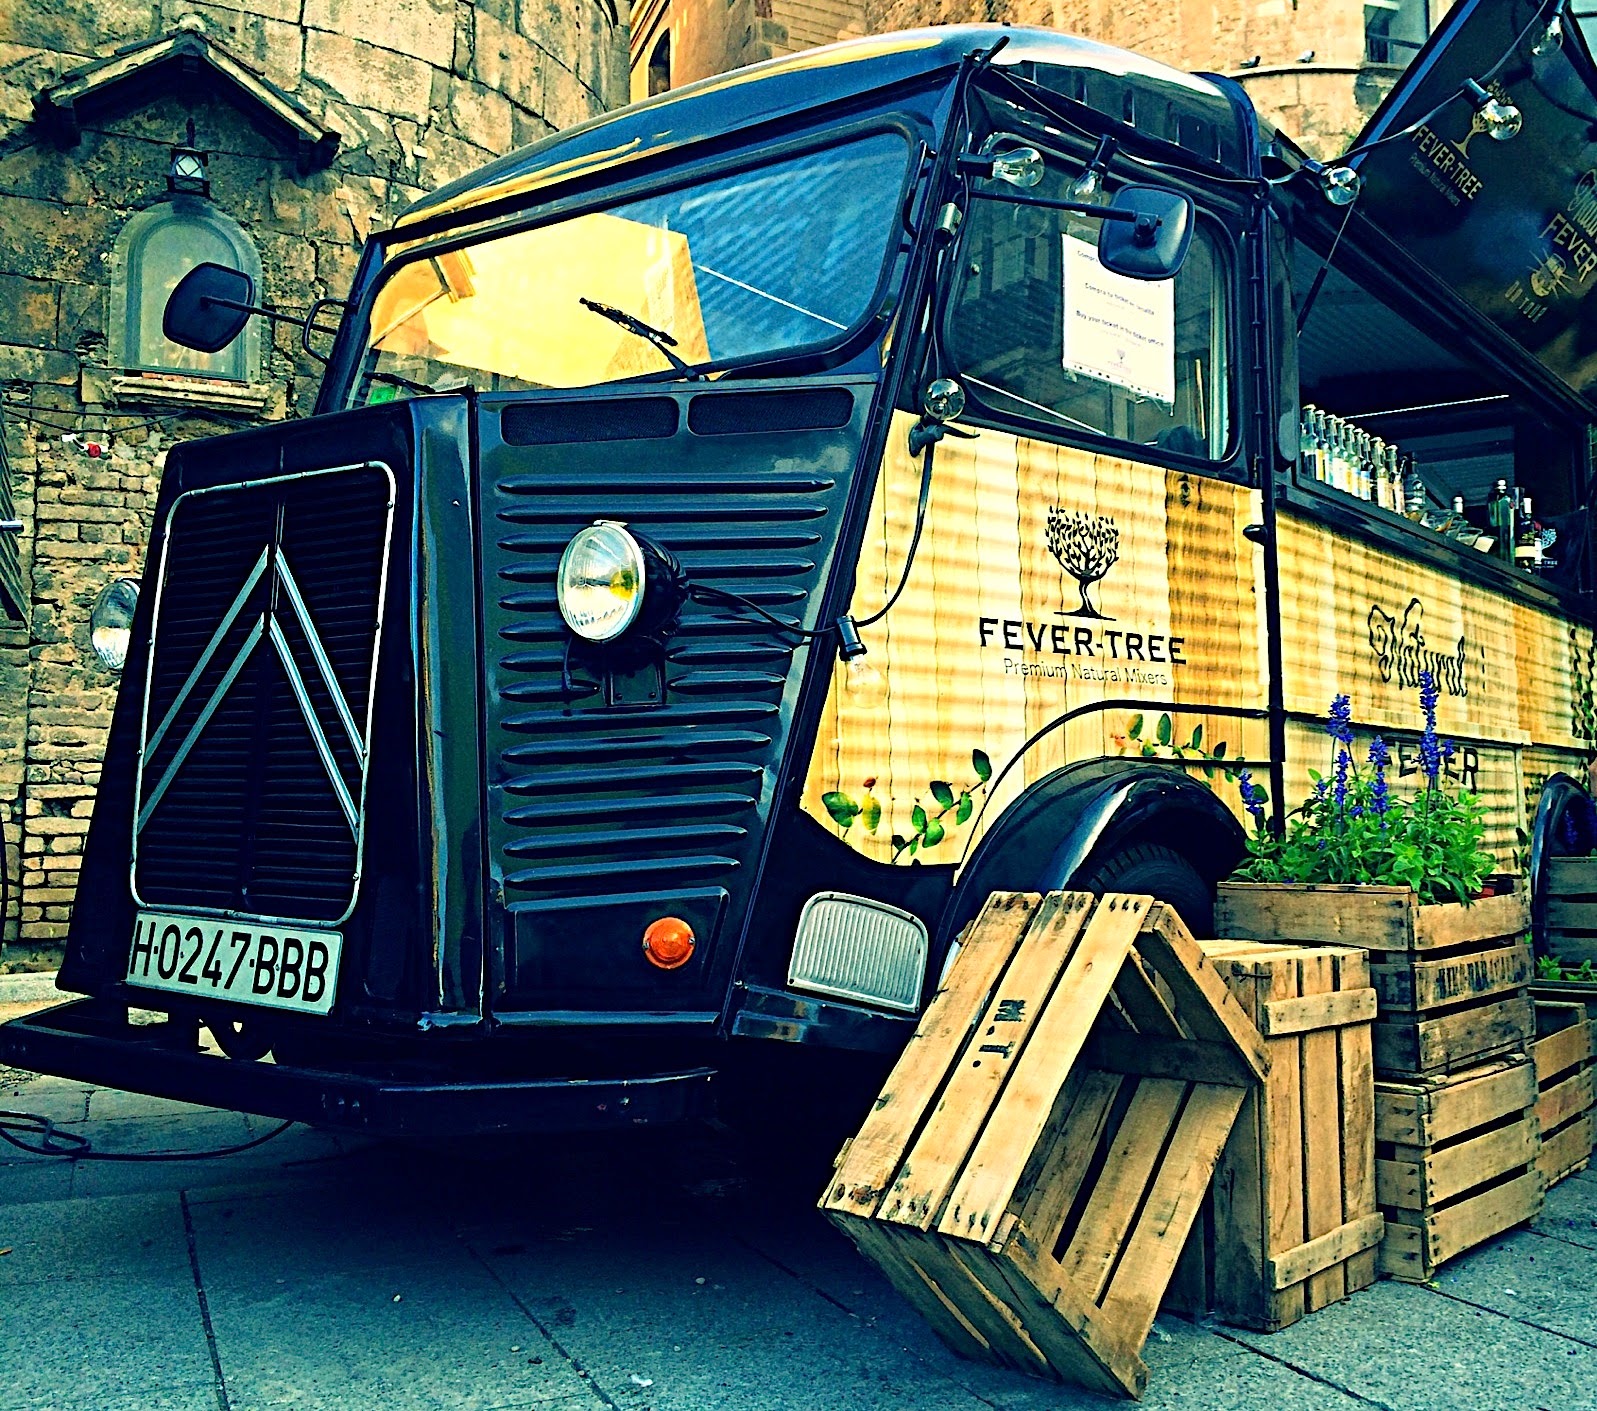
(1203, 114)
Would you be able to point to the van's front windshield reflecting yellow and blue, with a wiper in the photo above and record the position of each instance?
(771, 259)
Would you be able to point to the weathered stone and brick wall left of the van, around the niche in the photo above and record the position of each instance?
(419, 92)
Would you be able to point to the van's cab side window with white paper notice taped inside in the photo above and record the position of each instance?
(1042, 333)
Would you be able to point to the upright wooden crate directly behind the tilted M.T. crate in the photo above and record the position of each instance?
(1294, 1217)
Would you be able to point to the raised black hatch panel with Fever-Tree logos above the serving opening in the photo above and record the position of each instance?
(1510, 226)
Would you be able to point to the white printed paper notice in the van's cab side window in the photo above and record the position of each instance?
(1119, 330)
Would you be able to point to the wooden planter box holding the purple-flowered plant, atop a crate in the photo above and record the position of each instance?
(1452, 979)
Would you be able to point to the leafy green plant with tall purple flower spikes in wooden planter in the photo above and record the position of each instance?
(1350, 831)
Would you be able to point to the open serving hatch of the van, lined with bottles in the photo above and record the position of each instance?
(1433, 441)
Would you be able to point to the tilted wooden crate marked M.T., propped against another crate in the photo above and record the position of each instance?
(1042, 1148)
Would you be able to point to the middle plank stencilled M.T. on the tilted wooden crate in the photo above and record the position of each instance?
(993, 1053)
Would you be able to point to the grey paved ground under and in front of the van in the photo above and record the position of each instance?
(322, 1271)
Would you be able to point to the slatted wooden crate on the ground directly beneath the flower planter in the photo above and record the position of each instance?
(1456, 1163)
